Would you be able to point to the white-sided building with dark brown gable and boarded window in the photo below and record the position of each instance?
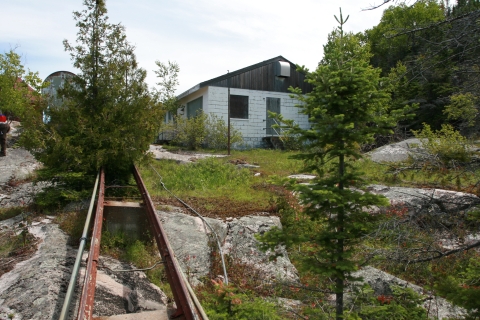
(254, 91)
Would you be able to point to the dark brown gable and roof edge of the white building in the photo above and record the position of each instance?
(259, 76)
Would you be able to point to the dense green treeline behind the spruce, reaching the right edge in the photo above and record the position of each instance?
(433, 48)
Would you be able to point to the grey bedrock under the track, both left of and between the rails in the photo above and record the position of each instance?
(35, 288)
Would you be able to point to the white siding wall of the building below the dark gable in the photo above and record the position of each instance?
(215, 100)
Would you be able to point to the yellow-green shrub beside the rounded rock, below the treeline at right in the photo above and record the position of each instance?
(446, 144)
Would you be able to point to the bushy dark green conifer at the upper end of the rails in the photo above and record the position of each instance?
(109, 117)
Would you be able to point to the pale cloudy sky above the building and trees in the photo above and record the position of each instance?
(206, 38)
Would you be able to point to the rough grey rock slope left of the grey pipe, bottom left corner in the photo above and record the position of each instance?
(34, 288)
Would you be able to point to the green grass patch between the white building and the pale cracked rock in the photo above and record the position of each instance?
(217, 188)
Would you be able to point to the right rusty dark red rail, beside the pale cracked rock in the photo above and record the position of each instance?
(185, 304)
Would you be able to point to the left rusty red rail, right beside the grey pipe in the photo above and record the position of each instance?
(85, 310)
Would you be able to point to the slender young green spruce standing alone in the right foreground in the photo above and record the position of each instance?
(347, 106)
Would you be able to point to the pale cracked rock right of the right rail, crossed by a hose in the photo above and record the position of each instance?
(193, 243)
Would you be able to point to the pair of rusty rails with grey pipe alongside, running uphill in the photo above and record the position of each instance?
(187, 304)
